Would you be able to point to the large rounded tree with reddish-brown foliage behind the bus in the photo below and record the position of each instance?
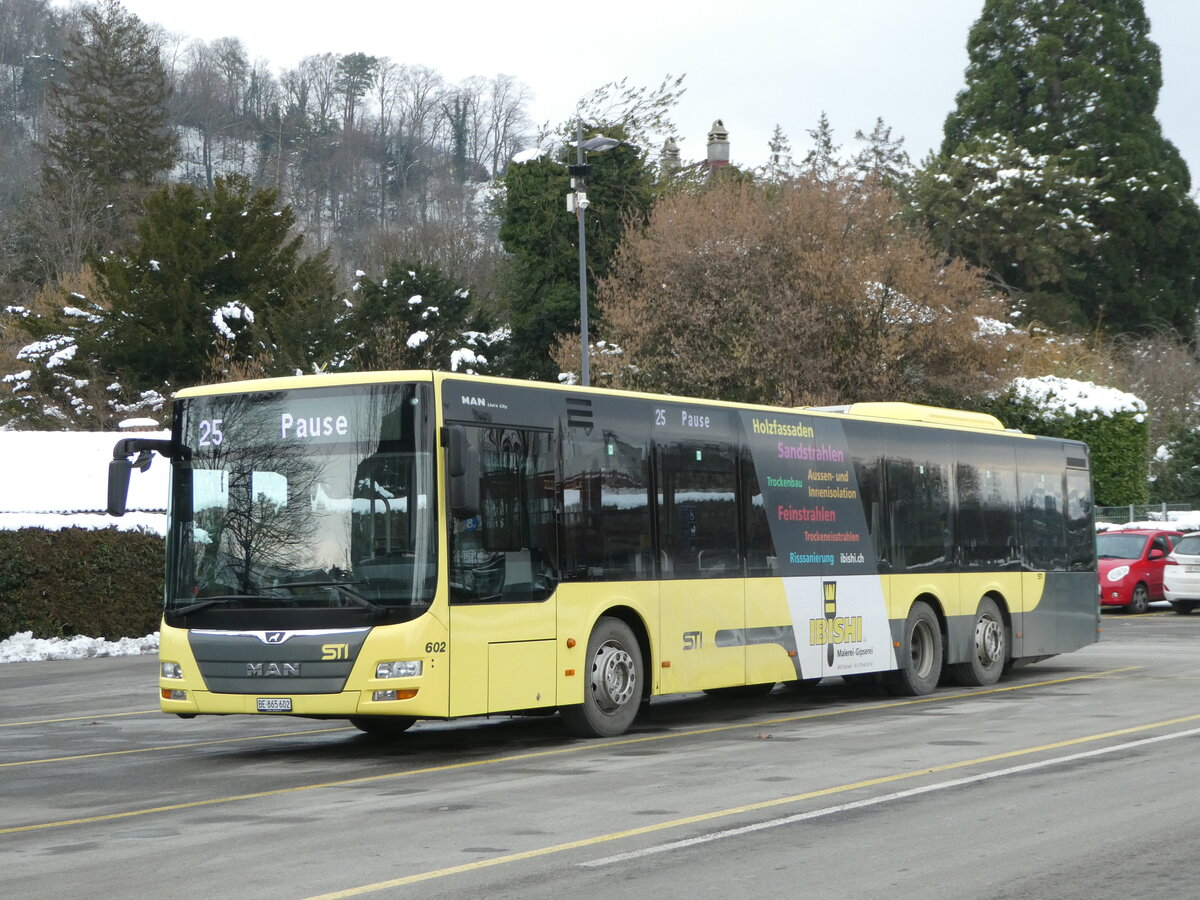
(801, 293)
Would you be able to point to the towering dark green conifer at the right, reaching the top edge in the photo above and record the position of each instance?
(1073, 86)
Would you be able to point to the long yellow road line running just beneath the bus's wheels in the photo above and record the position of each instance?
(556, 752)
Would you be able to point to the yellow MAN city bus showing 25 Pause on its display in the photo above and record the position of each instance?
(393, 547)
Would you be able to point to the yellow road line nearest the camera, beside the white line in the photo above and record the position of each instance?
(736, 812)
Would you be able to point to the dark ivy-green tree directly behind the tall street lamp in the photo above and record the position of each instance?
(541, 287)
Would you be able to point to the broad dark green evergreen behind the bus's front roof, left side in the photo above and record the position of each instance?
(213, 275)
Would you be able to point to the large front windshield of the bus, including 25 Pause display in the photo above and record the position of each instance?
(311, 500)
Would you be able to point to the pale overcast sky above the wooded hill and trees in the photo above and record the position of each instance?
(754, 64)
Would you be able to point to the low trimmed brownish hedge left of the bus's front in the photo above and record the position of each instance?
(79, 581)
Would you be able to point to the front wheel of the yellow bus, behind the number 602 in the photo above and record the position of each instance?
(613, 693)
